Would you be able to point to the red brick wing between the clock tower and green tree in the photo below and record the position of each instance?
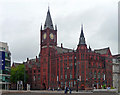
(33, 70)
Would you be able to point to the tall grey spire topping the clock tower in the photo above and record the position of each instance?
(48, 21)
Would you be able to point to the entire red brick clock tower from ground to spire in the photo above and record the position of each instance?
(48, 41)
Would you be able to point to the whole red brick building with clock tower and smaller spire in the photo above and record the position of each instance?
(60, 67)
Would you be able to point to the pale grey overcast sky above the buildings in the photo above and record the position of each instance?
(20, 22)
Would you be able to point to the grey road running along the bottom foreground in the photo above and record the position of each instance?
(56, 93)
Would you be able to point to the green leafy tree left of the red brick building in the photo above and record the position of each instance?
(18, 74)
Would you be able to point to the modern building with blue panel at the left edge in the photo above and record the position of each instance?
(5, 64)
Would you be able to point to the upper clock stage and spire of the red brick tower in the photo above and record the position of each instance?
(48, 34)
